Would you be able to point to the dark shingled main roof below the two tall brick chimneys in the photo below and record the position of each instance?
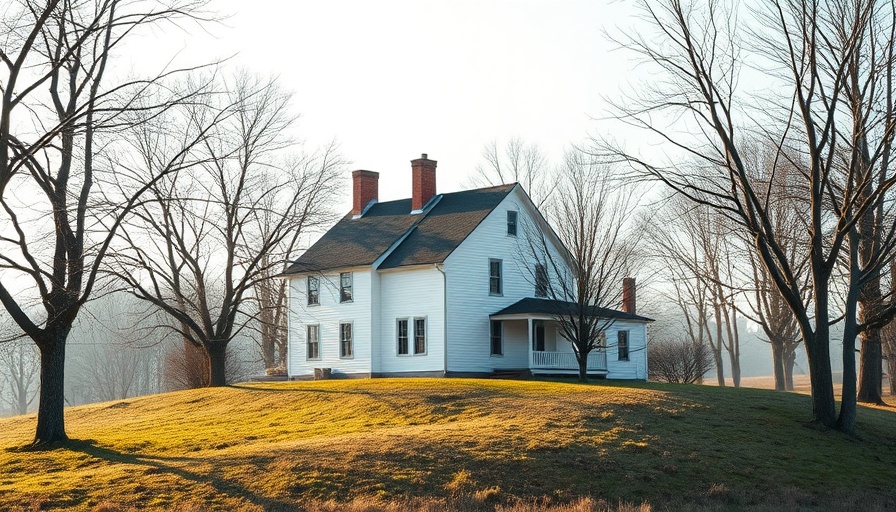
(438, 231)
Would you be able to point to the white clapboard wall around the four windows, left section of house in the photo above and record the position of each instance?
(329, 314)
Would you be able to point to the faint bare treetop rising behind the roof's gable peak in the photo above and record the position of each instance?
(518, 162)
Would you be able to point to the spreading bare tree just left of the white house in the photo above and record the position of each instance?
(198, 249)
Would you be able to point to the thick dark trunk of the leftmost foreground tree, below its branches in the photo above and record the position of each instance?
(51, 410)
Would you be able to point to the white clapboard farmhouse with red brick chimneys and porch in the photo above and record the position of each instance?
(439, 285)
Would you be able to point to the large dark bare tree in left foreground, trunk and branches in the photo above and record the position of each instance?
(61, 109)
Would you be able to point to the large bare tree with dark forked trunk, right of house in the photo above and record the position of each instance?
(697, 108)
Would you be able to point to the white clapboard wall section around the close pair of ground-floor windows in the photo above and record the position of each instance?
(410, 293)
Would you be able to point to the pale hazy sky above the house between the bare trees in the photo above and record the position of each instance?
(393, 79)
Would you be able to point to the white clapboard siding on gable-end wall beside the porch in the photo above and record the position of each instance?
(469, 302)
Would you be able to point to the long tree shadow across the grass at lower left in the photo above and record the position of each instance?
(159, 464)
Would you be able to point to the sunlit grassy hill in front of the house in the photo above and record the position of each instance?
(461, 444)
